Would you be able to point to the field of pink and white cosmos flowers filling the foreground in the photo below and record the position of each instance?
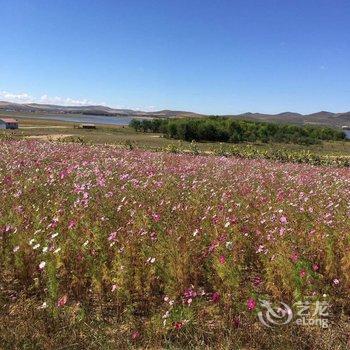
(108, 248)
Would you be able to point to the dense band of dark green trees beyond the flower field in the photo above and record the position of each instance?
(223, 129)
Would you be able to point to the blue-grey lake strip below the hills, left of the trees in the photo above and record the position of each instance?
(86, 119)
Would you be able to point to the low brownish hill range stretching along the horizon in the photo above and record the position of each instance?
(322, 118)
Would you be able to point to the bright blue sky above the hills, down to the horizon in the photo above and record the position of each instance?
(210, 56)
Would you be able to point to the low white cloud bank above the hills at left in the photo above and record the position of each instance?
(24, 97)
